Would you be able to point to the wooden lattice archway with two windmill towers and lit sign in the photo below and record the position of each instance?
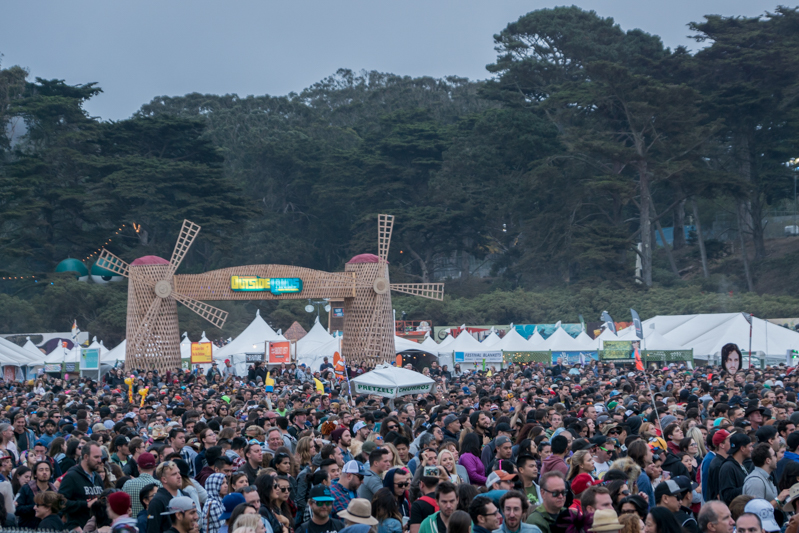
(153, 339)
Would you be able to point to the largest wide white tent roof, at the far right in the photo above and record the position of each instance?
(706, 334)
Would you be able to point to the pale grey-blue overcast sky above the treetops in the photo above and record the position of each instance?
(140, 50)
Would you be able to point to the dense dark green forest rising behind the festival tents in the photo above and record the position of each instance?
(560, 170)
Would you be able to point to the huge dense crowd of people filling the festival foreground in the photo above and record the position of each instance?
(529, 448)
